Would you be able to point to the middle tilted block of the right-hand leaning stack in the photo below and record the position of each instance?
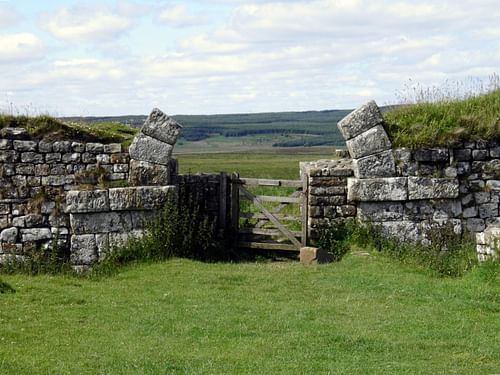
(370, 142)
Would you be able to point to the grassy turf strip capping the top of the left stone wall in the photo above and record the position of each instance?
(50, 128)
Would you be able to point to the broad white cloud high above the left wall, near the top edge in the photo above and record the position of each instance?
(85, 24)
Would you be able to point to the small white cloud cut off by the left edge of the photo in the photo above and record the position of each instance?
(20, 47)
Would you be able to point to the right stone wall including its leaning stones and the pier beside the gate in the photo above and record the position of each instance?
(408, 194)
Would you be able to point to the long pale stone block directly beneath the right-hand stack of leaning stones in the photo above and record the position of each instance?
(377, 189)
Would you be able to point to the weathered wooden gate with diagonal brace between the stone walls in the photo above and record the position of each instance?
(268, 222)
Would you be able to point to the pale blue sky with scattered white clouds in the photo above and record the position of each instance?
(86, 58)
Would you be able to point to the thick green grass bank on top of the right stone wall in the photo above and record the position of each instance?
(446, 122)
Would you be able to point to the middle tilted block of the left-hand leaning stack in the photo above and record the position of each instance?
(149, 149)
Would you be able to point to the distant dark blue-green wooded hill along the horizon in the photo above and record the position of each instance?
(288, 129)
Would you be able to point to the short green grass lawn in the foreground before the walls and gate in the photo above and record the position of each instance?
(364, 315)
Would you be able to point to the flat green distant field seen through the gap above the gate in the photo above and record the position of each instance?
(277, 163)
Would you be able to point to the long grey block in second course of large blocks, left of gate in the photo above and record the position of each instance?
(102, 222)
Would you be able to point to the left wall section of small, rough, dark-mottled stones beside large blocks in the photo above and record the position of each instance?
(35, 176)
